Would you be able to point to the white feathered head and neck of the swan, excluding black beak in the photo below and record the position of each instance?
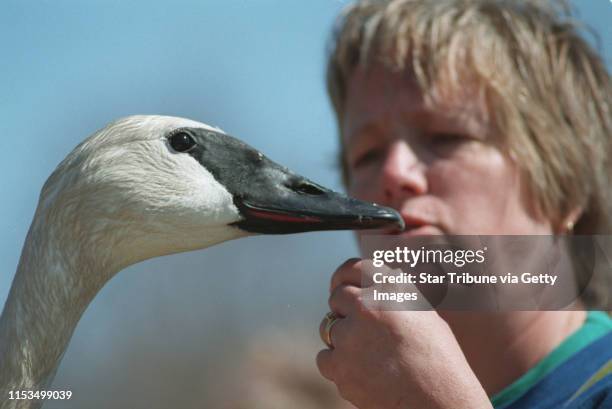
(120, 197)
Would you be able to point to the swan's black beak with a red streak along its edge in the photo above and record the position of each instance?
(274, 200)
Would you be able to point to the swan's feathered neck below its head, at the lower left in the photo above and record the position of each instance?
(44, 305)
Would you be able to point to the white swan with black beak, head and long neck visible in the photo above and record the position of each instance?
(142, 187)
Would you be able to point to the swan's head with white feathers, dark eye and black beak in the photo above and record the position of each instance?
(154, 185)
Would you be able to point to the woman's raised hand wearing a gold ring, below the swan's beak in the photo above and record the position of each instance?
(394, 359)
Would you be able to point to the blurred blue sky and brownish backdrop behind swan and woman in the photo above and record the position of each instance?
(231, 326)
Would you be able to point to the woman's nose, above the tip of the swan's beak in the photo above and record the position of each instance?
(403, 174)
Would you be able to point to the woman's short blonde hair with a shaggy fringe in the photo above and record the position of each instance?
(548, 93)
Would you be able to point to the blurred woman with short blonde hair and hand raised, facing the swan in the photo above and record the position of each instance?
(471, 117)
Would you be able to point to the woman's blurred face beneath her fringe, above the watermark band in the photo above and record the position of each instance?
(436, 166)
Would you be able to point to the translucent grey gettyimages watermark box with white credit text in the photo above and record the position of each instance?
(488, 273)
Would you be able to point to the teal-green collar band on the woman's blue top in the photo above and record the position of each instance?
(596, 325)
